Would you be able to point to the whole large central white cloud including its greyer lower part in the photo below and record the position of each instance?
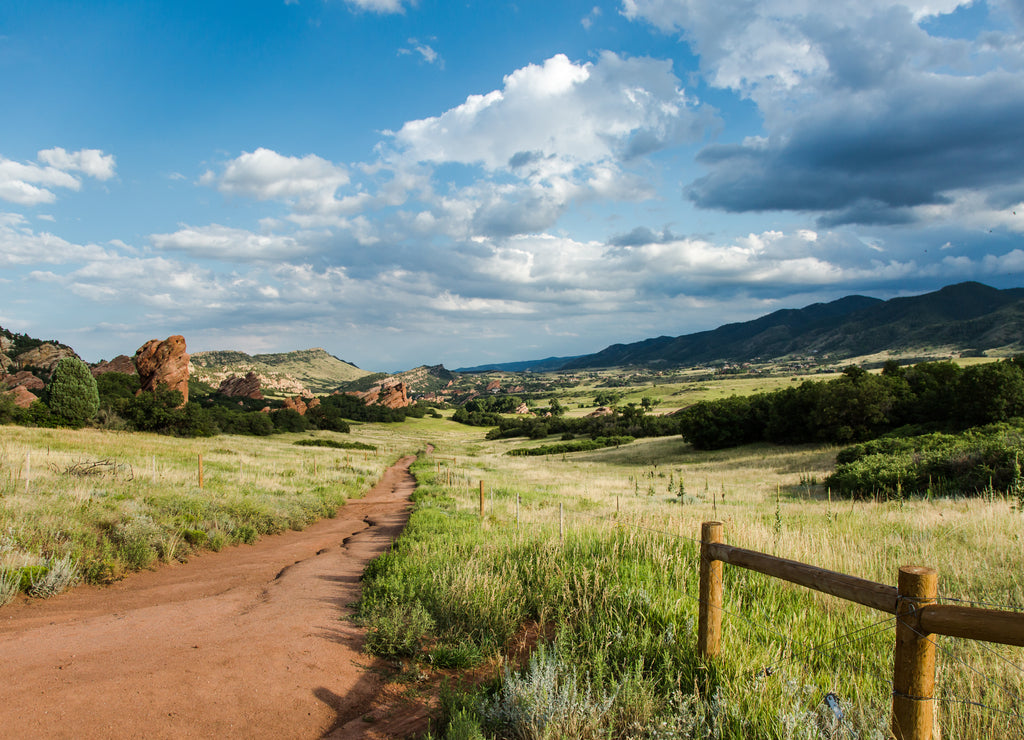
(556, 134)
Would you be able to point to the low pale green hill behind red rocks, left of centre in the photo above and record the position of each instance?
(281, 374)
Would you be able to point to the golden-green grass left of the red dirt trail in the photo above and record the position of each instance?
(95, 505)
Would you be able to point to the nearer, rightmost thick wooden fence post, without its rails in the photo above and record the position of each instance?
(914, 659)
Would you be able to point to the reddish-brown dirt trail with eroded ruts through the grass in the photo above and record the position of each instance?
(250, 642)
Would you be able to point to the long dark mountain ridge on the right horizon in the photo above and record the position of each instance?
(968, 317)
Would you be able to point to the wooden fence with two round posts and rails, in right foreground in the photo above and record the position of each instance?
(919, 619)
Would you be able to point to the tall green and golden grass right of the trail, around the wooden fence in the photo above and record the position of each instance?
(620, 593)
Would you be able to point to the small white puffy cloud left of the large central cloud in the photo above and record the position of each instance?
(309, 184)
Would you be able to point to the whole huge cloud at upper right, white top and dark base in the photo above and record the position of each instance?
(869, 118)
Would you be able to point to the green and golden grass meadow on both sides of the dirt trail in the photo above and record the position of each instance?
(616, 597)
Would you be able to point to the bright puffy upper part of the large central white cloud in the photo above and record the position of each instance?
(553, 118)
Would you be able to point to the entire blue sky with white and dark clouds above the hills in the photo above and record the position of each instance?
(408, 183)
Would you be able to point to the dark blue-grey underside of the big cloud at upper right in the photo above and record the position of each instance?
(868, 163)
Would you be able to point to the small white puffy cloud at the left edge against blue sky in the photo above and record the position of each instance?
(31, 184)
